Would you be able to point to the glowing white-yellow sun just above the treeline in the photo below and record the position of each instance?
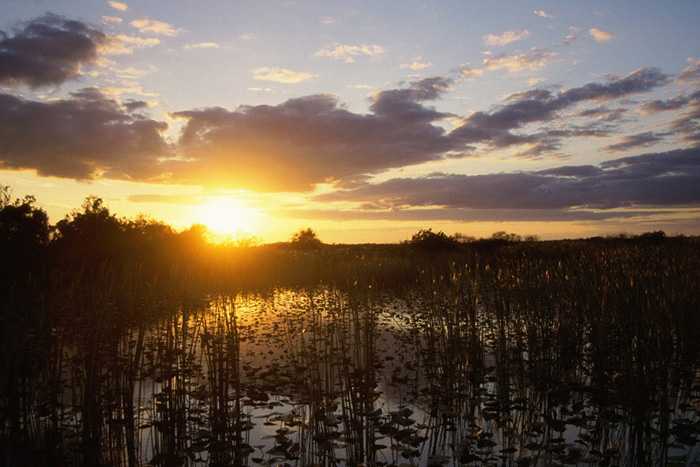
(229, 217)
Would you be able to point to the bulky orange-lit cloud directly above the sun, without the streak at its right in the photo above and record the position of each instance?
(308, 140)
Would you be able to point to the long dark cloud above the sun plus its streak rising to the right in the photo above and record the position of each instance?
(304, 141)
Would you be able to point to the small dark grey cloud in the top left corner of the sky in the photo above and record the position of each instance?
(47, 50)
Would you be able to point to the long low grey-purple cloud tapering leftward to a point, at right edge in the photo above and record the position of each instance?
(659, 179)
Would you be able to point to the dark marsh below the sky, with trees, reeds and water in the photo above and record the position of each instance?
(125, 343)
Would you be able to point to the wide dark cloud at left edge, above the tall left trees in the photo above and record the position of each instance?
(83, 136)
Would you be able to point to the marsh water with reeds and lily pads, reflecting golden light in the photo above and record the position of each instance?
(328, 377)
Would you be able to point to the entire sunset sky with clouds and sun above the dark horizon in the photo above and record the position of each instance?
(366, 121)
